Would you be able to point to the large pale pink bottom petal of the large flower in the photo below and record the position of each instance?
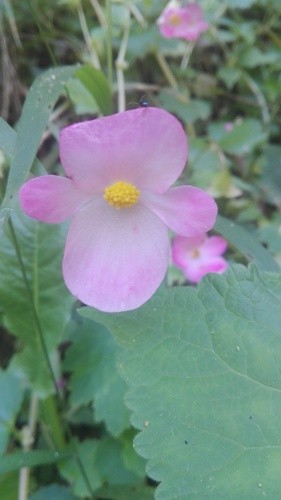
(115, 259)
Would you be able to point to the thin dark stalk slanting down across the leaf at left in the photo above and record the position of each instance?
(45, 351)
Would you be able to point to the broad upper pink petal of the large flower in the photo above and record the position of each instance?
(145, 146)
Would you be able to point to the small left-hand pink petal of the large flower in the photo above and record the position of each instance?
(51, 198)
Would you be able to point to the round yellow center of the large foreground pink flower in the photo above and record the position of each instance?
(121, 194)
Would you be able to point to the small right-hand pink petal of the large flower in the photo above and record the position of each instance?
(187, 210)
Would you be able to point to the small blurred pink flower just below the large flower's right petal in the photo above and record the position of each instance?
(199, 255)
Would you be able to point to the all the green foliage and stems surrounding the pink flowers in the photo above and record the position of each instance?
(180, 398)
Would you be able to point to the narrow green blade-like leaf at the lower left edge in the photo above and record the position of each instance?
(19, 459)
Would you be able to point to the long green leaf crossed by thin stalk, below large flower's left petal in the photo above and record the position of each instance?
(41, 247)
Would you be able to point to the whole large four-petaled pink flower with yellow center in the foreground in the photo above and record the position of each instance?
(119, 170)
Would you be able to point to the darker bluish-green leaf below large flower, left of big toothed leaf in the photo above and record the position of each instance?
(91, 359)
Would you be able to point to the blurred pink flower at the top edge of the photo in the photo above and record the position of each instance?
(182, 22)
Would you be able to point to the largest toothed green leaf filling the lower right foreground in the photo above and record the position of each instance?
(204, 374)
